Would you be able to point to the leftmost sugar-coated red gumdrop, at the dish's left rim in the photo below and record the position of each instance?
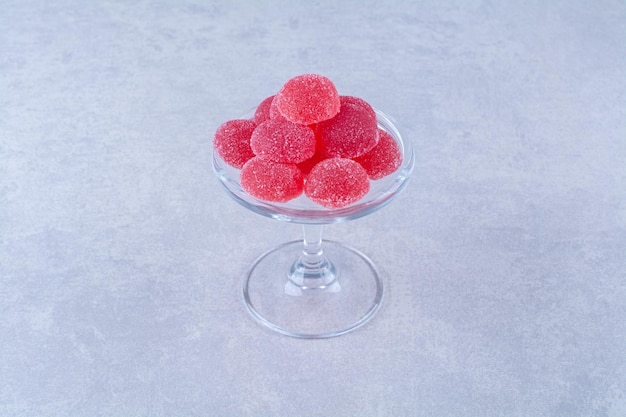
(232, 141)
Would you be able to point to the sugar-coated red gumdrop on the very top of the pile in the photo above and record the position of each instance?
(307, 99)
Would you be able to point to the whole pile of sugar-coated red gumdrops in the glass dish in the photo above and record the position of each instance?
(309, 139)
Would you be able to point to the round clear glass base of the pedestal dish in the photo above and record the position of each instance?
(341, 293)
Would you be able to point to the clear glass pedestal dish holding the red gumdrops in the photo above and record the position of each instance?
(315, 288)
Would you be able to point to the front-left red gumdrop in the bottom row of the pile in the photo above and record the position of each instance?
(271, 181)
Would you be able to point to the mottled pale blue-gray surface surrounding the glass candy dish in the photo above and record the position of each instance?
(121, 258)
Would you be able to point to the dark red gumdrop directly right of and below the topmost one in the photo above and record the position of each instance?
(351, 133)
